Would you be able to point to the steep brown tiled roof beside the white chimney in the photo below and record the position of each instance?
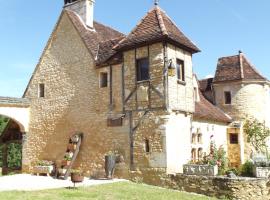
(100, 36)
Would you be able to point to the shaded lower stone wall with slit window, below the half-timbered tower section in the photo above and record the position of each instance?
(151, 129)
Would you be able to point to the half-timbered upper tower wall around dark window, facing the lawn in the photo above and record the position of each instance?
(156, 62)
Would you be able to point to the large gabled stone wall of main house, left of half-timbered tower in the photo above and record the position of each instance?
(73, 103)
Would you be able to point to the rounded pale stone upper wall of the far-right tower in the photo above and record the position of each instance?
(248, 99)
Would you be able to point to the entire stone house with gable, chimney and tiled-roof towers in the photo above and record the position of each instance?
(135, 94)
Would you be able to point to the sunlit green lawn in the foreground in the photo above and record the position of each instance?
(116, 191)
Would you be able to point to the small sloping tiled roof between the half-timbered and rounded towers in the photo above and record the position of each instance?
(204, 110)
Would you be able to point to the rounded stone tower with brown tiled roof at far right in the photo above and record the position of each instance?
(241, 92)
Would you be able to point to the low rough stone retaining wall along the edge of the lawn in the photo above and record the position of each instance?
(221, 187)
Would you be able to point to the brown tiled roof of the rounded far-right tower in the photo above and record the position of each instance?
(236, 67)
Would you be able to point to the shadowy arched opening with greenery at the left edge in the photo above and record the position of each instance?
(11, 135)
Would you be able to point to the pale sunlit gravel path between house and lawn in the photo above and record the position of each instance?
(25, 182)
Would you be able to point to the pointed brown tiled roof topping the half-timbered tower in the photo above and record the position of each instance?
(156, 26)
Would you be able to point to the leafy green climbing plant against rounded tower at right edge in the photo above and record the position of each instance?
(257, 134)
